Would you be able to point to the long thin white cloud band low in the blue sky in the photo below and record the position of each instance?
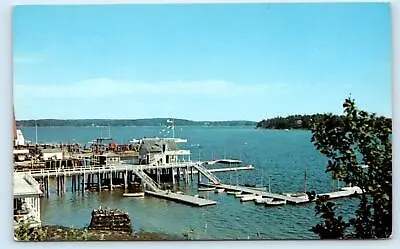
(104, 88)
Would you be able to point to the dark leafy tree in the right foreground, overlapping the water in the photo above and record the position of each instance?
(357, 138)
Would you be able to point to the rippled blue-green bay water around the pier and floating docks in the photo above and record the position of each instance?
(281, 155)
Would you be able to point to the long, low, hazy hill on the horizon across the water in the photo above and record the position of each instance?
(128, 122)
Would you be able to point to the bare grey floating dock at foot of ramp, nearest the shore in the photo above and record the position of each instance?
(182, 198)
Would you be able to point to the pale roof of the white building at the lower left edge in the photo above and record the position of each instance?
(25, 185)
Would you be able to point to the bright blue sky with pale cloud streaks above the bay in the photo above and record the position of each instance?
(200, 62)
